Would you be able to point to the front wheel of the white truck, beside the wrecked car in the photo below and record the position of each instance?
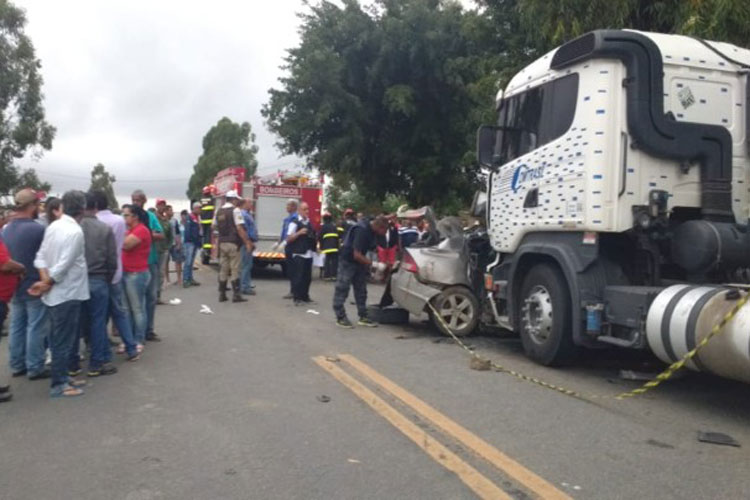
(544, 316)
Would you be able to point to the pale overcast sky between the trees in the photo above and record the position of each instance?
(136, 84)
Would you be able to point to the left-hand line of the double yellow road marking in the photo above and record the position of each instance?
(479, 484)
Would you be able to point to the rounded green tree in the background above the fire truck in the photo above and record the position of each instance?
(227, 144)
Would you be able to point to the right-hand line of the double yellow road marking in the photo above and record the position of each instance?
(541, 487)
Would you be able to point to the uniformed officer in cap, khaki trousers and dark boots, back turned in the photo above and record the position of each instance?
(232, 237)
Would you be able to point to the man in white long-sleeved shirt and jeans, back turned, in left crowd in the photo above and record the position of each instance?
(63, 286)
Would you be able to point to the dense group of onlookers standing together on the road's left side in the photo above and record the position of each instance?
(71, 266)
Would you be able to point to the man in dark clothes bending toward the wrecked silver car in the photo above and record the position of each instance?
(354, 266)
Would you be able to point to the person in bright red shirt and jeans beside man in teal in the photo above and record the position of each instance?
(136, 276)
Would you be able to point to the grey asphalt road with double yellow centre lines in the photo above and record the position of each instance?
(229, 406)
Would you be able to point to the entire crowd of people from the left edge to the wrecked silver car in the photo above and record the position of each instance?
(76, 269)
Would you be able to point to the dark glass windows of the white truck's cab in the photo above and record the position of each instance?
(537, 116)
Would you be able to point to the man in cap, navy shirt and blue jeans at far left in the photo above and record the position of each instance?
(29, 324)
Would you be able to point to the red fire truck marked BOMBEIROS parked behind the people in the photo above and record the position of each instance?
(269, 196)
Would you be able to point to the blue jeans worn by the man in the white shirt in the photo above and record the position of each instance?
(65, 319)
